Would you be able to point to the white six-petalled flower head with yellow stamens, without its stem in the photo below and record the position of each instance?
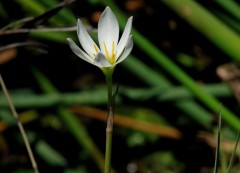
(111, 50)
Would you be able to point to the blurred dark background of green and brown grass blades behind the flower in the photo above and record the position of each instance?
(180, 77)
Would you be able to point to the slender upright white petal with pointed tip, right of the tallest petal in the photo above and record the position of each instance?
(124, 38)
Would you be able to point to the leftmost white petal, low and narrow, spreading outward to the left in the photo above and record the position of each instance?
(81, 54)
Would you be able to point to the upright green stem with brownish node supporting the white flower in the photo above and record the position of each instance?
(109, 129)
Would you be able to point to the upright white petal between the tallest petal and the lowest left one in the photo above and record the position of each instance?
(85, 39)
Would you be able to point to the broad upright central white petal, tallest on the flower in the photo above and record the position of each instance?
(108, 30)
